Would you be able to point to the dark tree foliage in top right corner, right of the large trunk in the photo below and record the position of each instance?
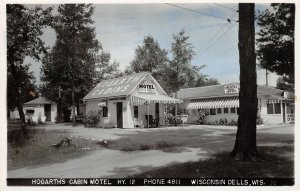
(276, 41)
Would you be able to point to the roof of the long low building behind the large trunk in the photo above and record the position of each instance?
(218, 91)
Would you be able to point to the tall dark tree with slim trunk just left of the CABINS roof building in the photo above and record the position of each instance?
(73, 59)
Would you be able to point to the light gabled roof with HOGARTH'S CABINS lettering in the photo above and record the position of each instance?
(117, 87)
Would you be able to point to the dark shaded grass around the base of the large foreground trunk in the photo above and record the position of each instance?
(222, 166)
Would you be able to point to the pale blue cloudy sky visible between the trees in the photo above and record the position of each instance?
(121, 28)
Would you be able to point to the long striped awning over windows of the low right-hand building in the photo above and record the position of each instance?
(214, 103)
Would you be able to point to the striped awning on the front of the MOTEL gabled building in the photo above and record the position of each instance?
(141, 99)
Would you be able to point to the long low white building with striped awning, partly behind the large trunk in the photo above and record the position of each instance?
(222, 102)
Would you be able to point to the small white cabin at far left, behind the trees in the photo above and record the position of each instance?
(41, 107)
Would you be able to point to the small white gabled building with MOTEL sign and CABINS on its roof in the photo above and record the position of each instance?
(129, 101)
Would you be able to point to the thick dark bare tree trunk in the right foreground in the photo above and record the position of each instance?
(245, 145)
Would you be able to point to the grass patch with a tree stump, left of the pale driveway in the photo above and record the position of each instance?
(37, 150)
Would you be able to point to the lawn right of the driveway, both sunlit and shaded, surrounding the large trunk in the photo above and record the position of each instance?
(277, 150)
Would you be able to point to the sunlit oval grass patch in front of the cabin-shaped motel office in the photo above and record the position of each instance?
(167, 139)
